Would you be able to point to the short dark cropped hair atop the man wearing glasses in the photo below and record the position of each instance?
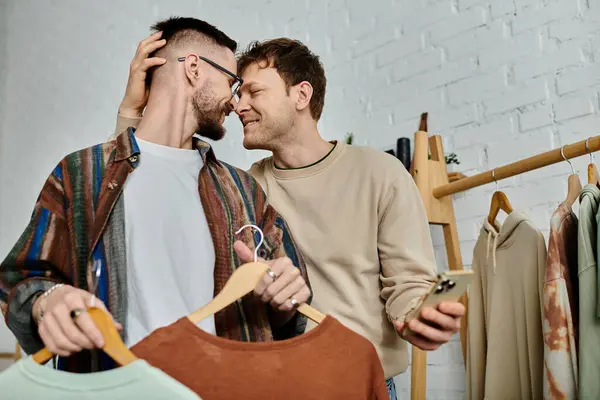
(175, 29)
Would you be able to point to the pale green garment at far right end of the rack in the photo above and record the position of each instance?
(589, 324)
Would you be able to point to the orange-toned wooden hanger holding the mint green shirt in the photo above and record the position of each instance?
(113, 345)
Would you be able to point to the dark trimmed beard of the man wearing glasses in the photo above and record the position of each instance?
(208, 113)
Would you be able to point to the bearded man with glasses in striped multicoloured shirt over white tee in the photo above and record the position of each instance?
(146, 223)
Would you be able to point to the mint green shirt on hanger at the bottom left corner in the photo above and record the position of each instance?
(27, 380)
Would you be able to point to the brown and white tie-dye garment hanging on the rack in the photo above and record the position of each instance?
(560, 307)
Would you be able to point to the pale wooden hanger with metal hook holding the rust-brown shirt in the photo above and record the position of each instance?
(242, 281)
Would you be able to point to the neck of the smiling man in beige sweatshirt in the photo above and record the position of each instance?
(305, 149)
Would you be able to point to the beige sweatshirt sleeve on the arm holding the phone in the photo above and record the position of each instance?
(404, 243)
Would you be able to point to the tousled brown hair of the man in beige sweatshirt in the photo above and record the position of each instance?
(294, 62)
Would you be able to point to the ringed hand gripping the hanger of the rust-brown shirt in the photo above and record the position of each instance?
(282, 286)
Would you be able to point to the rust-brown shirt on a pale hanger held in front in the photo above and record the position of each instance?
(329, 362)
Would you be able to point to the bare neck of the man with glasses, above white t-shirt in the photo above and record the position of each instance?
(164, 122)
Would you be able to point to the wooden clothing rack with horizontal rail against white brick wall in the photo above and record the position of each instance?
(431, 178)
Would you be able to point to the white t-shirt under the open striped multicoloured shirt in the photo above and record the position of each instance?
(170, 252)
